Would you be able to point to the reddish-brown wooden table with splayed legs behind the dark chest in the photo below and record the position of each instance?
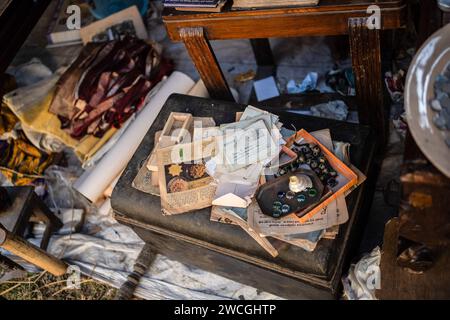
(330, 17)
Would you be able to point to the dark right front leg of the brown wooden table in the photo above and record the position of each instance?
(366, 61)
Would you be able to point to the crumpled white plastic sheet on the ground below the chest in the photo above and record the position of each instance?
(107, 251)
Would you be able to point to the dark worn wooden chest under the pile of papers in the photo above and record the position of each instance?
(227, 250)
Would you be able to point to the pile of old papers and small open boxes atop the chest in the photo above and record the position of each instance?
(197, 164)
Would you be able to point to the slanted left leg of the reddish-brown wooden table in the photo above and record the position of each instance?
(206, 63)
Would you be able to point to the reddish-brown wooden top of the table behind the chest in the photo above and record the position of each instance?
(295, 22)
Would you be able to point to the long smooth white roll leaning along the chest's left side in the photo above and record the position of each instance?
(93, 183)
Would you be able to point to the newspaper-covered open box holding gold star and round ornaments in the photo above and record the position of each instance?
(184, 184)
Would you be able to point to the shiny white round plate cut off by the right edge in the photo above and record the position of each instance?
(431, 60)
